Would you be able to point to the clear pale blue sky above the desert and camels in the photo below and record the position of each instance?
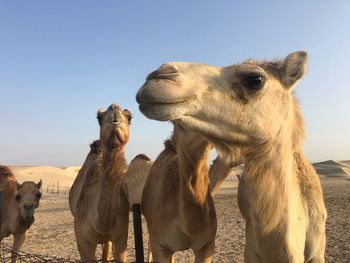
(62, 60)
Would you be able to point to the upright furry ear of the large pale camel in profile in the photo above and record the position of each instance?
(293, 68)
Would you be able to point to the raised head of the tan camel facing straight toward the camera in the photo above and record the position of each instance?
(114, 126)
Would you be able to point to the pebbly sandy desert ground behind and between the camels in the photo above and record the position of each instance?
(52, 232)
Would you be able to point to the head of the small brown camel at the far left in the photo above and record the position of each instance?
(28, 195)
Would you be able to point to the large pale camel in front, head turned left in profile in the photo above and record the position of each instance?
(251, 107)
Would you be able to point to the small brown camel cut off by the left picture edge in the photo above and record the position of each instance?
(17, 209)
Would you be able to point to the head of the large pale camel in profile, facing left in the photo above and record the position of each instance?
(242, 104)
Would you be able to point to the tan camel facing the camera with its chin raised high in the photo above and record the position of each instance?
(98, 204)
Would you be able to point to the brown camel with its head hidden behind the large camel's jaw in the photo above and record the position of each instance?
(176, 200)
